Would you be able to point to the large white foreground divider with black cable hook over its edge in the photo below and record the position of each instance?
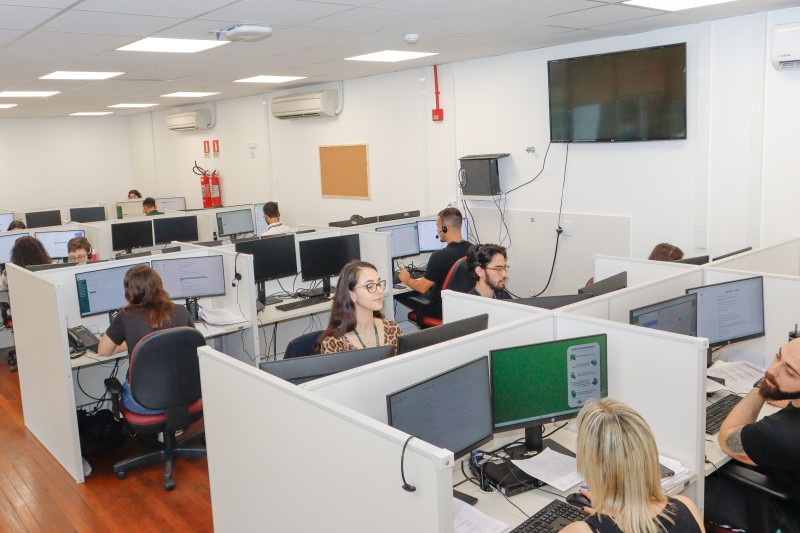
(329, 467)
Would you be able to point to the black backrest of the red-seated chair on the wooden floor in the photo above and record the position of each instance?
(165, 370)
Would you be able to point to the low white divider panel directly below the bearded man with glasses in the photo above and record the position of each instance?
(458, 305)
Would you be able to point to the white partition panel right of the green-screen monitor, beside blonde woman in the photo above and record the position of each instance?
(661, 375)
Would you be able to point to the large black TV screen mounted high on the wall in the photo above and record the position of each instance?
(635, 95)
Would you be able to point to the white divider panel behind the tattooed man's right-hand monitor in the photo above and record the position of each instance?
(781, 314)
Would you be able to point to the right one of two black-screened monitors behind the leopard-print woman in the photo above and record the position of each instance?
(324, 258)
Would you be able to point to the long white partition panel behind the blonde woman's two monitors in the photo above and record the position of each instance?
(365, 388)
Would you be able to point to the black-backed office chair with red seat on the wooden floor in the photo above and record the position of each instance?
(165, 374)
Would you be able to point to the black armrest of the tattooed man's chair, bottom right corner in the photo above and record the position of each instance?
(761, 494)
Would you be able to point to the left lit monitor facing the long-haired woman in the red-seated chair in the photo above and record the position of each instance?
(102, 291)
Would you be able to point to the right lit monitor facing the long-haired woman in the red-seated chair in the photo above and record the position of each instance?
(191, 278)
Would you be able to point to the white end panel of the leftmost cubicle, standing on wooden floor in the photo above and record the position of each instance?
(45, 376)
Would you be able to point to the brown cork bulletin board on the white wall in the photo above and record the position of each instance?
(344, 171)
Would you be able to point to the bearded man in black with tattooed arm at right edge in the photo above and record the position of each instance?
(771, 444)
